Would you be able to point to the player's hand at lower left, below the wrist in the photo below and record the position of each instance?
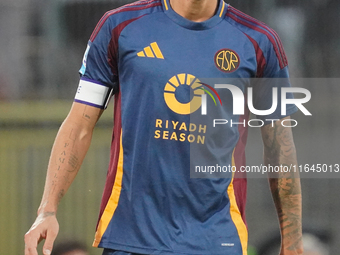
(45, 227)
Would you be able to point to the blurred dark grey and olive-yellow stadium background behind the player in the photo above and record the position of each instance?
(42, 44)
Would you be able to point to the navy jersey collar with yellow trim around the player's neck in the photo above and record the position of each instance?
(213, 21)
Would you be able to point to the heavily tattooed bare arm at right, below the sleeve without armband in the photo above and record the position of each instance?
(279, 150)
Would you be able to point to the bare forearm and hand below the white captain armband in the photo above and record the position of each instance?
(68, 152)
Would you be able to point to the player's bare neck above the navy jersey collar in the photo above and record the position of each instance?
(195, 10)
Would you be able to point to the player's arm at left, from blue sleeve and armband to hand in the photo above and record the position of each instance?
(99, 80)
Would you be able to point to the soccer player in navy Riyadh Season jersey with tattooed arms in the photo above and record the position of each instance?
(150, 54)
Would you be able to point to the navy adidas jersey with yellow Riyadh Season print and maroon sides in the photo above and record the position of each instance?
(152, 58)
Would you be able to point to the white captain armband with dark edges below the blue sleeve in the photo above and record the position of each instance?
(93, 93)
